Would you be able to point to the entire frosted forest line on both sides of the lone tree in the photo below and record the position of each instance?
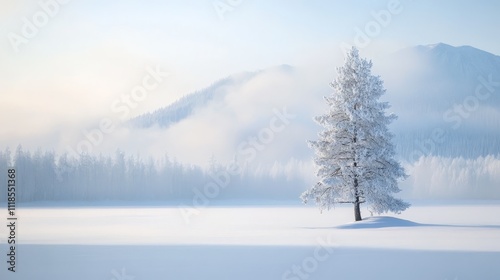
(128, 177)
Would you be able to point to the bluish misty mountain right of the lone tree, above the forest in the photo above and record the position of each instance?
(447, 99)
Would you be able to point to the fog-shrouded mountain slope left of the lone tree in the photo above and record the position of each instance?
(253, 117)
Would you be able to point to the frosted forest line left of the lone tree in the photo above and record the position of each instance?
(45, 176)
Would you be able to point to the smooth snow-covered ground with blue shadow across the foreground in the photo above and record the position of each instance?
(431, 240)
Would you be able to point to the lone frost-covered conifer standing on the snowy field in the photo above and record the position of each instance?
(354, 152)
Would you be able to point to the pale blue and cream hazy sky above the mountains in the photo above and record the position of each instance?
(90, 52)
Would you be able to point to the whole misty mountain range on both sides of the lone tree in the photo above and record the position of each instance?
(447, 99)
